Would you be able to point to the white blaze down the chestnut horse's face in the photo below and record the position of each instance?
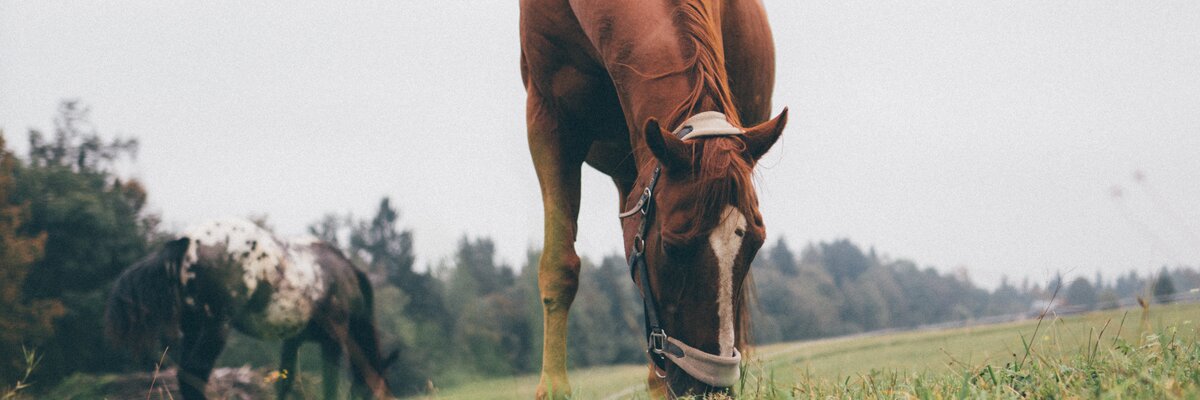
(727, 243)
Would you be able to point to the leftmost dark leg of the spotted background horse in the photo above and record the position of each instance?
(203, 341)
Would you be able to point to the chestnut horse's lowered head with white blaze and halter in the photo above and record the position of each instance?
(692, 246)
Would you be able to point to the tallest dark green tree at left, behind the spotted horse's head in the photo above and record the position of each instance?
(94, 228)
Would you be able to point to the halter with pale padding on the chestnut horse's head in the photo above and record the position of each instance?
(712, 369)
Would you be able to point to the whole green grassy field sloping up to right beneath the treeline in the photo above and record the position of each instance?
(1156, 357)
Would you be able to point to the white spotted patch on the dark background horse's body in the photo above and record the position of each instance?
(273, 288)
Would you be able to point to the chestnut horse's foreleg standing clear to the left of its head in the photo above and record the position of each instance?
(559, 160)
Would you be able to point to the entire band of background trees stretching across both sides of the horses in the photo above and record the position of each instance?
(69, 225)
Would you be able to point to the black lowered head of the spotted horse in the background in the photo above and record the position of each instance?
(145, 303)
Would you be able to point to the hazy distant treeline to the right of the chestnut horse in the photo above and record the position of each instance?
(835, 289)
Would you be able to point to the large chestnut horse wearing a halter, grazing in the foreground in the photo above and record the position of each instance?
(603, 80)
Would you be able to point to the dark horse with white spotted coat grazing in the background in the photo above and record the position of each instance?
(235, 273)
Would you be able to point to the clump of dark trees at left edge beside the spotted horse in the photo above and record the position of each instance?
(68, 228)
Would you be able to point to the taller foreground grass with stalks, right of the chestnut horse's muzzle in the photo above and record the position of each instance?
(1162, 363)
